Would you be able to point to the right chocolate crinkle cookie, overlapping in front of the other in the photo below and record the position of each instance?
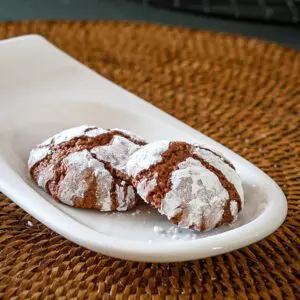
(195, 187)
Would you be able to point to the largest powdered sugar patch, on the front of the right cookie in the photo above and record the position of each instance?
(197, 194)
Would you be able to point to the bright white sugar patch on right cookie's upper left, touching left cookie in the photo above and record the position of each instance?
(149, 155)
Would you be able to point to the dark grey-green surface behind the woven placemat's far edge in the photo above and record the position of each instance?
(288, 35)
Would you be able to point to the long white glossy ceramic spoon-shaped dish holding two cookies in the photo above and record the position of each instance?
(42, 91)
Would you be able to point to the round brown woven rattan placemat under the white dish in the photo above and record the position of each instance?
(242, 92)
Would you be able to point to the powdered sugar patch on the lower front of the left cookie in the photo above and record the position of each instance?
(82, 170)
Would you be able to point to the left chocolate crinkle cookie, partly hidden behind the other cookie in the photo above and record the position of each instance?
(85, 167)
